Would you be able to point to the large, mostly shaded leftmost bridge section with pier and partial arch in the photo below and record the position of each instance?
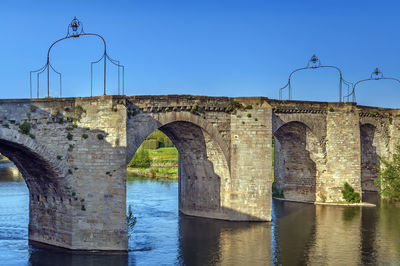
(75, 179)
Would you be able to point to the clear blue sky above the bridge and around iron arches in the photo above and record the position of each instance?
(207, 47)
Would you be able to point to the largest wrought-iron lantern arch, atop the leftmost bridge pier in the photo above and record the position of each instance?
(75, 30)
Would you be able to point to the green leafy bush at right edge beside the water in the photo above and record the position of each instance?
(388, 180)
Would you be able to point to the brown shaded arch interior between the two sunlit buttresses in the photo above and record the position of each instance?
(295, 166)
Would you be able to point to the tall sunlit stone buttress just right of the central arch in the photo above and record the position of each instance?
(249, 196)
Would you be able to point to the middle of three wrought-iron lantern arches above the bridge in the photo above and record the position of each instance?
(314, 63)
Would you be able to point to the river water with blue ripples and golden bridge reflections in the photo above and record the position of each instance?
(299, 233)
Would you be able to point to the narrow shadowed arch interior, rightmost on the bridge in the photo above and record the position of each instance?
(369, 157)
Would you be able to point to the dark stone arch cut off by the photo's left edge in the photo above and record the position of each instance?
(43, 175)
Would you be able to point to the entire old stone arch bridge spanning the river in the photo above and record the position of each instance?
(73, 152)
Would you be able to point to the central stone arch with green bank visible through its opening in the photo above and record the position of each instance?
(203, 158)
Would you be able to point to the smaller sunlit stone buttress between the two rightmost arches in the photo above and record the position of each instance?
(343, 152)
